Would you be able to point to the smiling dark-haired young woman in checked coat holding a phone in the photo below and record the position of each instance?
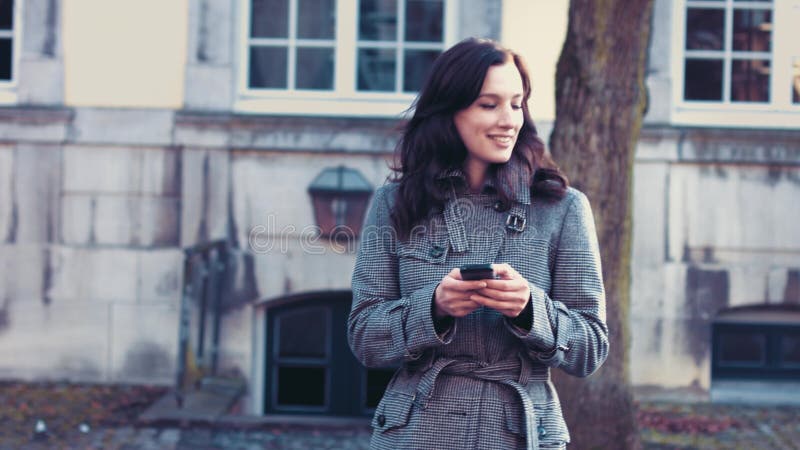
(475, 186)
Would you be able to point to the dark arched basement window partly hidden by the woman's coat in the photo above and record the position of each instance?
(309, 366)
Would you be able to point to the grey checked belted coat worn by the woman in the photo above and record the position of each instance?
(482, 383)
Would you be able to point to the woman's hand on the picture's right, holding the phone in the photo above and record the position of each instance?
(509, 294)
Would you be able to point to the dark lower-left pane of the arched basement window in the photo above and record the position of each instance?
(301, 386)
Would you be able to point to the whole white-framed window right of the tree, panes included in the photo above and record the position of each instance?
(738, 63)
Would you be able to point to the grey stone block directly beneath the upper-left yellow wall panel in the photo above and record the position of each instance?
(122, 126)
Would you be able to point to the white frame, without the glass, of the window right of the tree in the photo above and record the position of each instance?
(779, 111)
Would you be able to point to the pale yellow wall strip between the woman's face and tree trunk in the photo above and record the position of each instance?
(536, 29)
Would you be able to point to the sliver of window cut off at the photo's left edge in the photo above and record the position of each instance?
(9, 49)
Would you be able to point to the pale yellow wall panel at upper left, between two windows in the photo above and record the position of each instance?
(125, 53)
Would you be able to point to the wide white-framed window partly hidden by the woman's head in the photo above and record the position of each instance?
(345, 57)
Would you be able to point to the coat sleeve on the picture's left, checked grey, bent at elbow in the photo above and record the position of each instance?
(385, 328)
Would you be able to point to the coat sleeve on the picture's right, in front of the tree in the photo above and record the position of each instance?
(568, 327)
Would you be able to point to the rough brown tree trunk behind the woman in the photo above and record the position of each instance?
(600, 102)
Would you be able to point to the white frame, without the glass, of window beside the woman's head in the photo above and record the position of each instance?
(344, 99)
